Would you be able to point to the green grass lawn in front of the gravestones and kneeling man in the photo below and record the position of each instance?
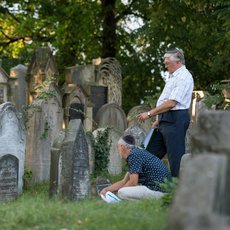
(35, 210)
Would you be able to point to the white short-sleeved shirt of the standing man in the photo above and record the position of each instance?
(178, 87)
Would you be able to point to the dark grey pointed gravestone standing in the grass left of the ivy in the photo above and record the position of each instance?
(75, 183)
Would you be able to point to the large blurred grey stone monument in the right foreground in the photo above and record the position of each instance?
(202, 199)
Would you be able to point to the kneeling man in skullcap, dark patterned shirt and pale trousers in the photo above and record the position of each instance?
(143, 164)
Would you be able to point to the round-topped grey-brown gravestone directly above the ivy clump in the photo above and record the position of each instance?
(111, 115)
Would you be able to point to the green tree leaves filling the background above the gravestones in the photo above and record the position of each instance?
(75, 32)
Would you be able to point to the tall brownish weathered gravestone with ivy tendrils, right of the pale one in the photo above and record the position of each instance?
(45, 120)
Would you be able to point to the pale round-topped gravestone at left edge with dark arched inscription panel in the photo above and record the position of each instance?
(12, 152)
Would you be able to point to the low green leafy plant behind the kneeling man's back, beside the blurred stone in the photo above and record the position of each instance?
(169, 186)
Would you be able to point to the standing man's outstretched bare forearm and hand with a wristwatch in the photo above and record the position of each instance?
(166, 106)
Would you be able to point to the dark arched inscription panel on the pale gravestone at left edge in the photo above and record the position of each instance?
(8, 177)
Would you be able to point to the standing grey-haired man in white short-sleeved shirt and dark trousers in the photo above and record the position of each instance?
(173, 111)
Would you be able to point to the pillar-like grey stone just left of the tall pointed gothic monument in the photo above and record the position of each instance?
(18, 86)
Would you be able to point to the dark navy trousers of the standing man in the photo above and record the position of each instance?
(170, 138)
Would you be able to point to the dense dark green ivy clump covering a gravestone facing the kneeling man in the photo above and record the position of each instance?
(102, 147)
